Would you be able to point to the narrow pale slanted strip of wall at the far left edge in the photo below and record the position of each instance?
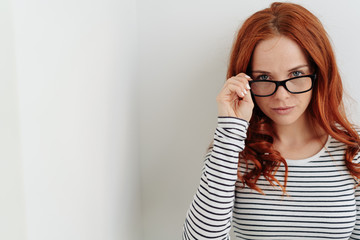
(12, 202)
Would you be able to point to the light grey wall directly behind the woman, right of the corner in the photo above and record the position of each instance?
(184, 48)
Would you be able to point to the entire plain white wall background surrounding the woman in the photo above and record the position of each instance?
(107, 108)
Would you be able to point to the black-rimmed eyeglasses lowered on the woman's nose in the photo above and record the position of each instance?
(295, 85)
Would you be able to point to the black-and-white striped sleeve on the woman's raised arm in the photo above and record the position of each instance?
(210, 213)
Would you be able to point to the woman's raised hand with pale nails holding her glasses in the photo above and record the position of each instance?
(235, 100)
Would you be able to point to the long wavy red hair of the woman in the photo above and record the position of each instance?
(326, 107)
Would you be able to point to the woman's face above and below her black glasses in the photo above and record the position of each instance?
(280, 58)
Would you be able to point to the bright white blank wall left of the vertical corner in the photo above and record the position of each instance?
(70, 75)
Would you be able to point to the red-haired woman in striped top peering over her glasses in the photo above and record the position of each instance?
(284, 163)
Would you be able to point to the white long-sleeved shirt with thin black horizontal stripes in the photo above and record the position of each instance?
(321, 202)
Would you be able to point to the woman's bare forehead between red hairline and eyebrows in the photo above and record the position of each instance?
(277, 54)
